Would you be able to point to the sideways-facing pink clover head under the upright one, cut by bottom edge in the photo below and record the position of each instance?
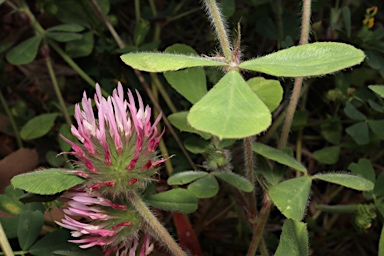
(97, 221)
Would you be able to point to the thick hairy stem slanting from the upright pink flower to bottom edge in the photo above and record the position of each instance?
(165, 238)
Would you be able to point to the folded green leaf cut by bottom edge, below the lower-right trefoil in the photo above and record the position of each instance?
(293, 239)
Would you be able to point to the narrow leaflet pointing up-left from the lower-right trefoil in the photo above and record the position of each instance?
(278, 156)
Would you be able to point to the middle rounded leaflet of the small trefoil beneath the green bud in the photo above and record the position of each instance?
(205, 187)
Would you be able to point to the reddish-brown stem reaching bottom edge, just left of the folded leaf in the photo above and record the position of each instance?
(261, 221)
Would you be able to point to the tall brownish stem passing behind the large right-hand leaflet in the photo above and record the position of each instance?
(299, 80)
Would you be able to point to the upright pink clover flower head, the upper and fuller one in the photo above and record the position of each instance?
(117, 145)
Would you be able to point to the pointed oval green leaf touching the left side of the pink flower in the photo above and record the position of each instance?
(46, 182)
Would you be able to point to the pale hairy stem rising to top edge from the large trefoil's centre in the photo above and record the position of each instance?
(218, 23)
